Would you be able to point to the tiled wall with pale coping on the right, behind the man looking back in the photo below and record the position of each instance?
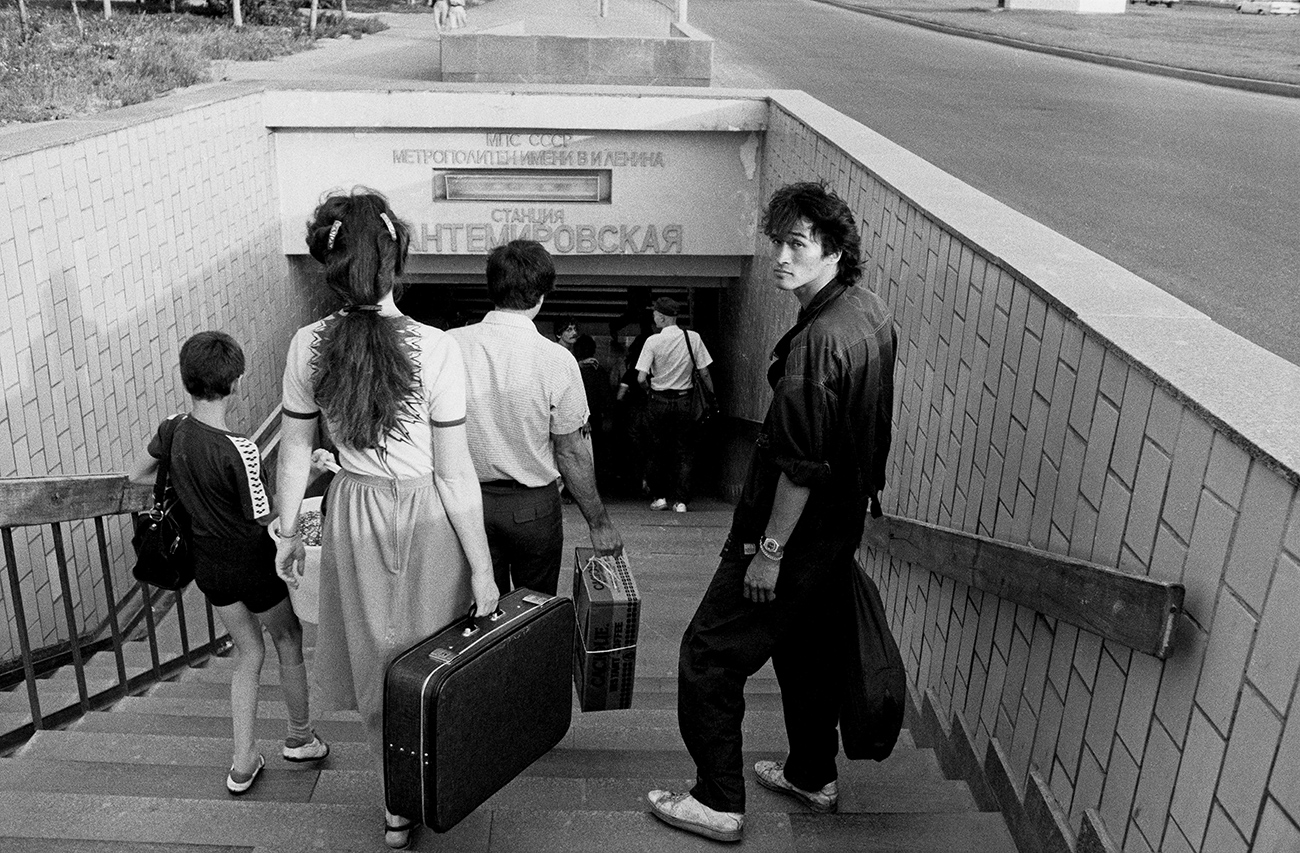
(1050, 399)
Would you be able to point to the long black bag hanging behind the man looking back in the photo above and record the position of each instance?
(876, 683)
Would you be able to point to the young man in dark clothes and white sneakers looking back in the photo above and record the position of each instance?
(818, 466)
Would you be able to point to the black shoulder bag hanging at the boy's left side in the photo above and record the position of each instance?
(162, 540)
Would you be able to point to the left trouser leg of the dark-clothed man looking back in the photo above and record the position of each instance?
(727, 642)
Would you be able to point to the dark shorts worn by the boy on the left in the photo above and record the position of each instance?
(229, 571)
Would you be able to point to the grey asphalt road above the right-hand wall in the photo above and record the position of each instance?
(1194, 188)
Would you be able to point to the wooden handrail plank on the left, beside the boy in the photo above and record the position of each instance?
(28, 501)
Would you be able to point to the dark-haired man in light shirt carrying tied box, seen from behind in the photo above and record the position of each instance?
(526, 412)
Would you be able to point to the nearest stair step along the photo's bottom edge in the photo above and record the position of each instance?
(301, 828)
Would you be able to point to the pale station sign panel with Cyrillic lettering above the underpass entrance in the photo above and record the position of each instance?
(578, 193)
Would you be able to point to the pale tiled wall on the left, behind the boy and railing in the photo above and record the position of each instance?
(119, 239)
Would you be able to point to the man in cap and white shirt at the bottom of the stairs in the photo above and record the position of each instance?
(666, 370)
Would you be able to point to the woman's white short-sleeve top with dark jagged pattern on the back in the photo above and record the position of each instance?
(439, 400)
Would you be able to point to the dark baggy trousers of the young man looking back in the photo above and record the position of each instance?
(730, 640)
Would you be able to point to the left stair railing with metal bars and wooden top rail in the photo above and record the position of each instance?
(53, 503)
